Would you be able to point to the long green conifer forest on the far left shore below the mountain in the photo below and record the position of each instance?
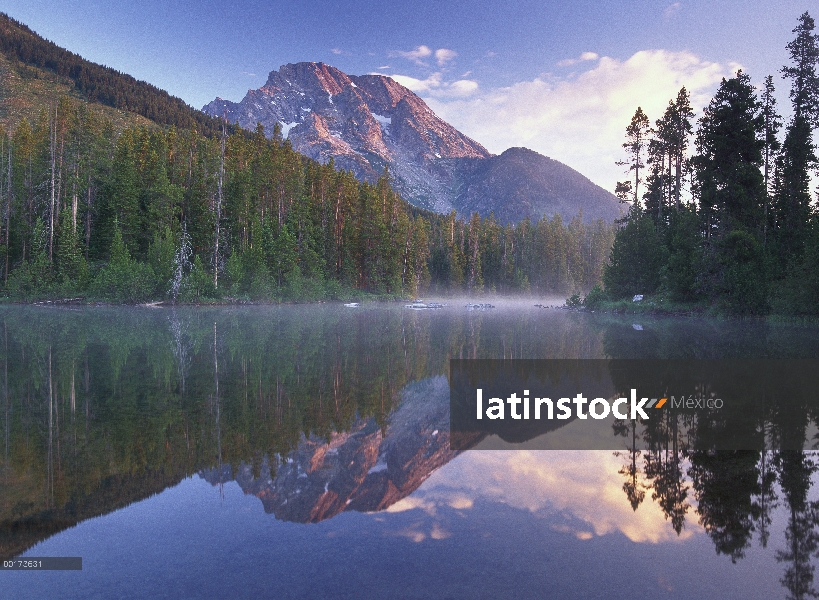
(167, 213)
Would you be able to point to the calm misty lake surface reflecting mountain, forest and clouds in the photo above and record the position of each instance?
(303, 452)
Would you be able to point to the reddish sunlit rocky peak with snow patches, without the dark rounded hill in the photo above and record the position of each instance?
(362, 122)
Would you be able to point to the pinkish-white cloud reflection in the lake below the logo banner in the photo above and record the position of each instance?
(581, 485)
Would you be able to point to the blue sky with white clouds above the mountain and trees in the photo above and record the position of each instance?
(561, 78)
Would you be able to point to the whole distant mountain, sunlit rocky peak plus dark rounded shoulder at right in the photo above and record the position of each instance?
(366, 122)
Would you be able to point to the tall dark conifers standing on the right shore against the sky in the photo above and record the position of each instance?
(745, 236)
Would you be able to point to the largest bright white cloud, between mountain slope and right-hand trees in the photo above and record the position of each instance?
(581, 120)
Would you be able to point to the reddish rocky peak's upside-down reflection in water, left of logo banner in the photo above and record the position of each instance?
(365, 468)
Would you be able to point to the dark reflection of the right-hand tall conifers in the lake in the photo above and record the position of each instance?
(735, 491)
